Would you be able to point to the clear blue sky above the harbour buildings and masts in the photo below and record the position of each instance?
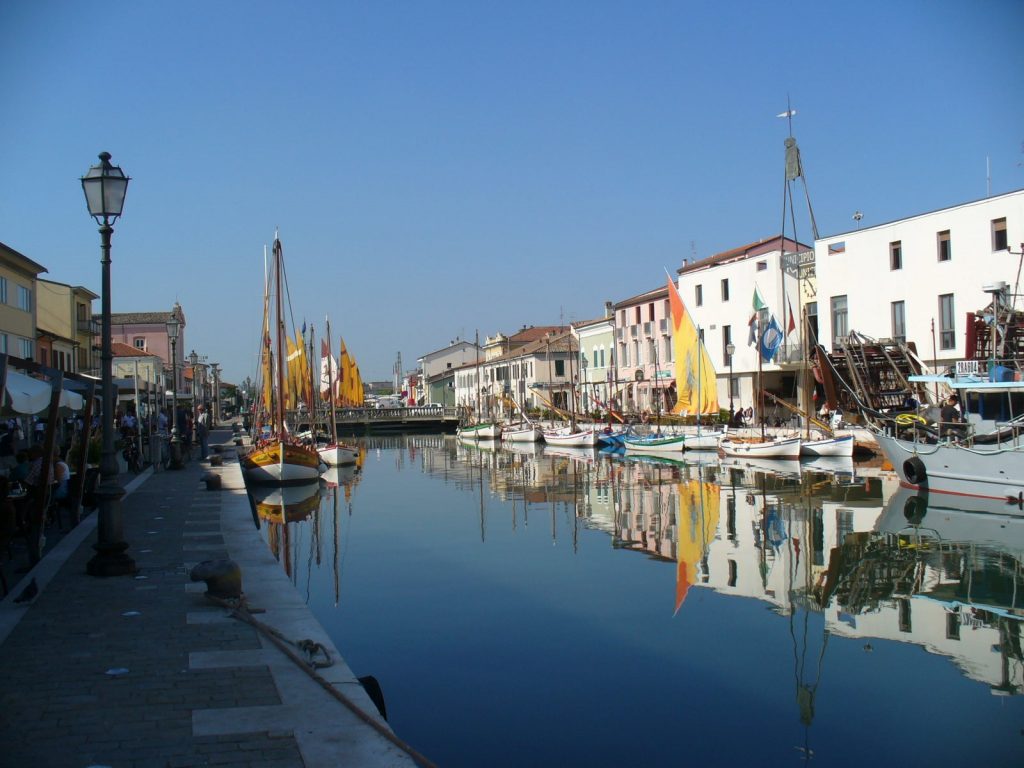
(441, 167)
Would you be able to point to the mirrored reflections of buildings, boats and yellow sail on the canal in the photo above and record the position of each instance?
(831, 548)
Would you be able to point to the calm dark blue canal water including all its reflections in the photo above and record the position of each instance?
(543, 608)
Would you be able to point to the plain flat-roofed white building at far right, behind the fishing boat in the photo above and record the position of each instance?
(919, 279)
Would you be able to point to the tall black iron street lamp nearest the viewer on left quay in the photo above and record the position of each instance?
(105, 187)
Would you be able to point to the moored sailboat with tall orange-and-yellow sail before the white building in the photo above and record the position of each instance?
(696, 388)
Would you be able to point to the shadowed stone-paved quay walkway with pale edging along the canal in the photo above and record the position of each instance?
(146, 671)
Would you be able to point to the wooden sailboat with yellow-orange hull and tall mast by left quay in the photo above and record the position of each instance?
(276, 457)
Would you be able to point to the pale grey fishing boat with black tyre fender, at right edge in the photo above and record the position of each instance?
(983, 459)
